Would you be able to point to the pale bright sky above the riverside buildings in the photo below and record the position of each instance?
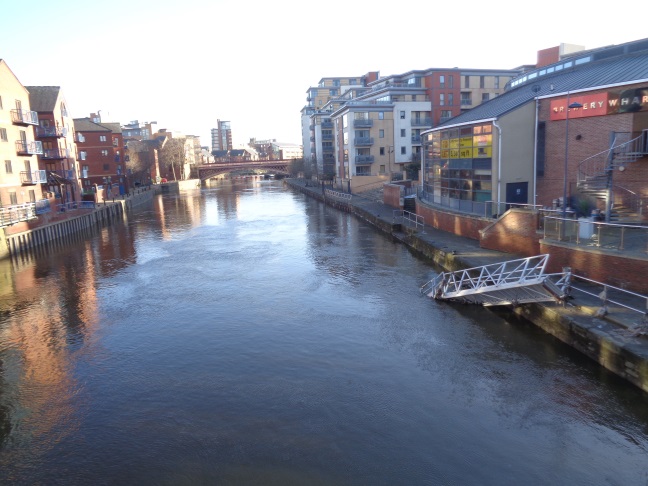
(186, 64)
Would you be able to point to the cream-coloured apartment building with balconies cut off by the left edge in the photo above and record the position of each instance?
(20, 177)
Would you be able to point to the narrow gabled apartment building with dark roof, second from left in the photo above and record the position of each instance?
(55, 131)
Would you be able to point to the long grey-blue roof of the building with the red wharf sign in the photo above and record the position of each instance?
(594, 69)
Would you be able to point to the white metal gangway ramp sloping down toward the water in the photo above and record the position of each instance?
(512, 282)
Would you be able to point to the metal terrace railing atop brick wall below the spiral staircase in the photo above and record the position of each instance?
(586, 232)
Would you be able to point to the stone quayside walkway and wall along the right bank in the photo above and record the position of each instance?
(611, 340)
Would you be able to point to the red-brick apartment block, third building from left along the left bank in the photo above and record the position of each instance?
(100, 148)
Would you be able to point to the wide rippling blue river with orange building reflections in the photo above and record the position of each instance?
(246, 334)
